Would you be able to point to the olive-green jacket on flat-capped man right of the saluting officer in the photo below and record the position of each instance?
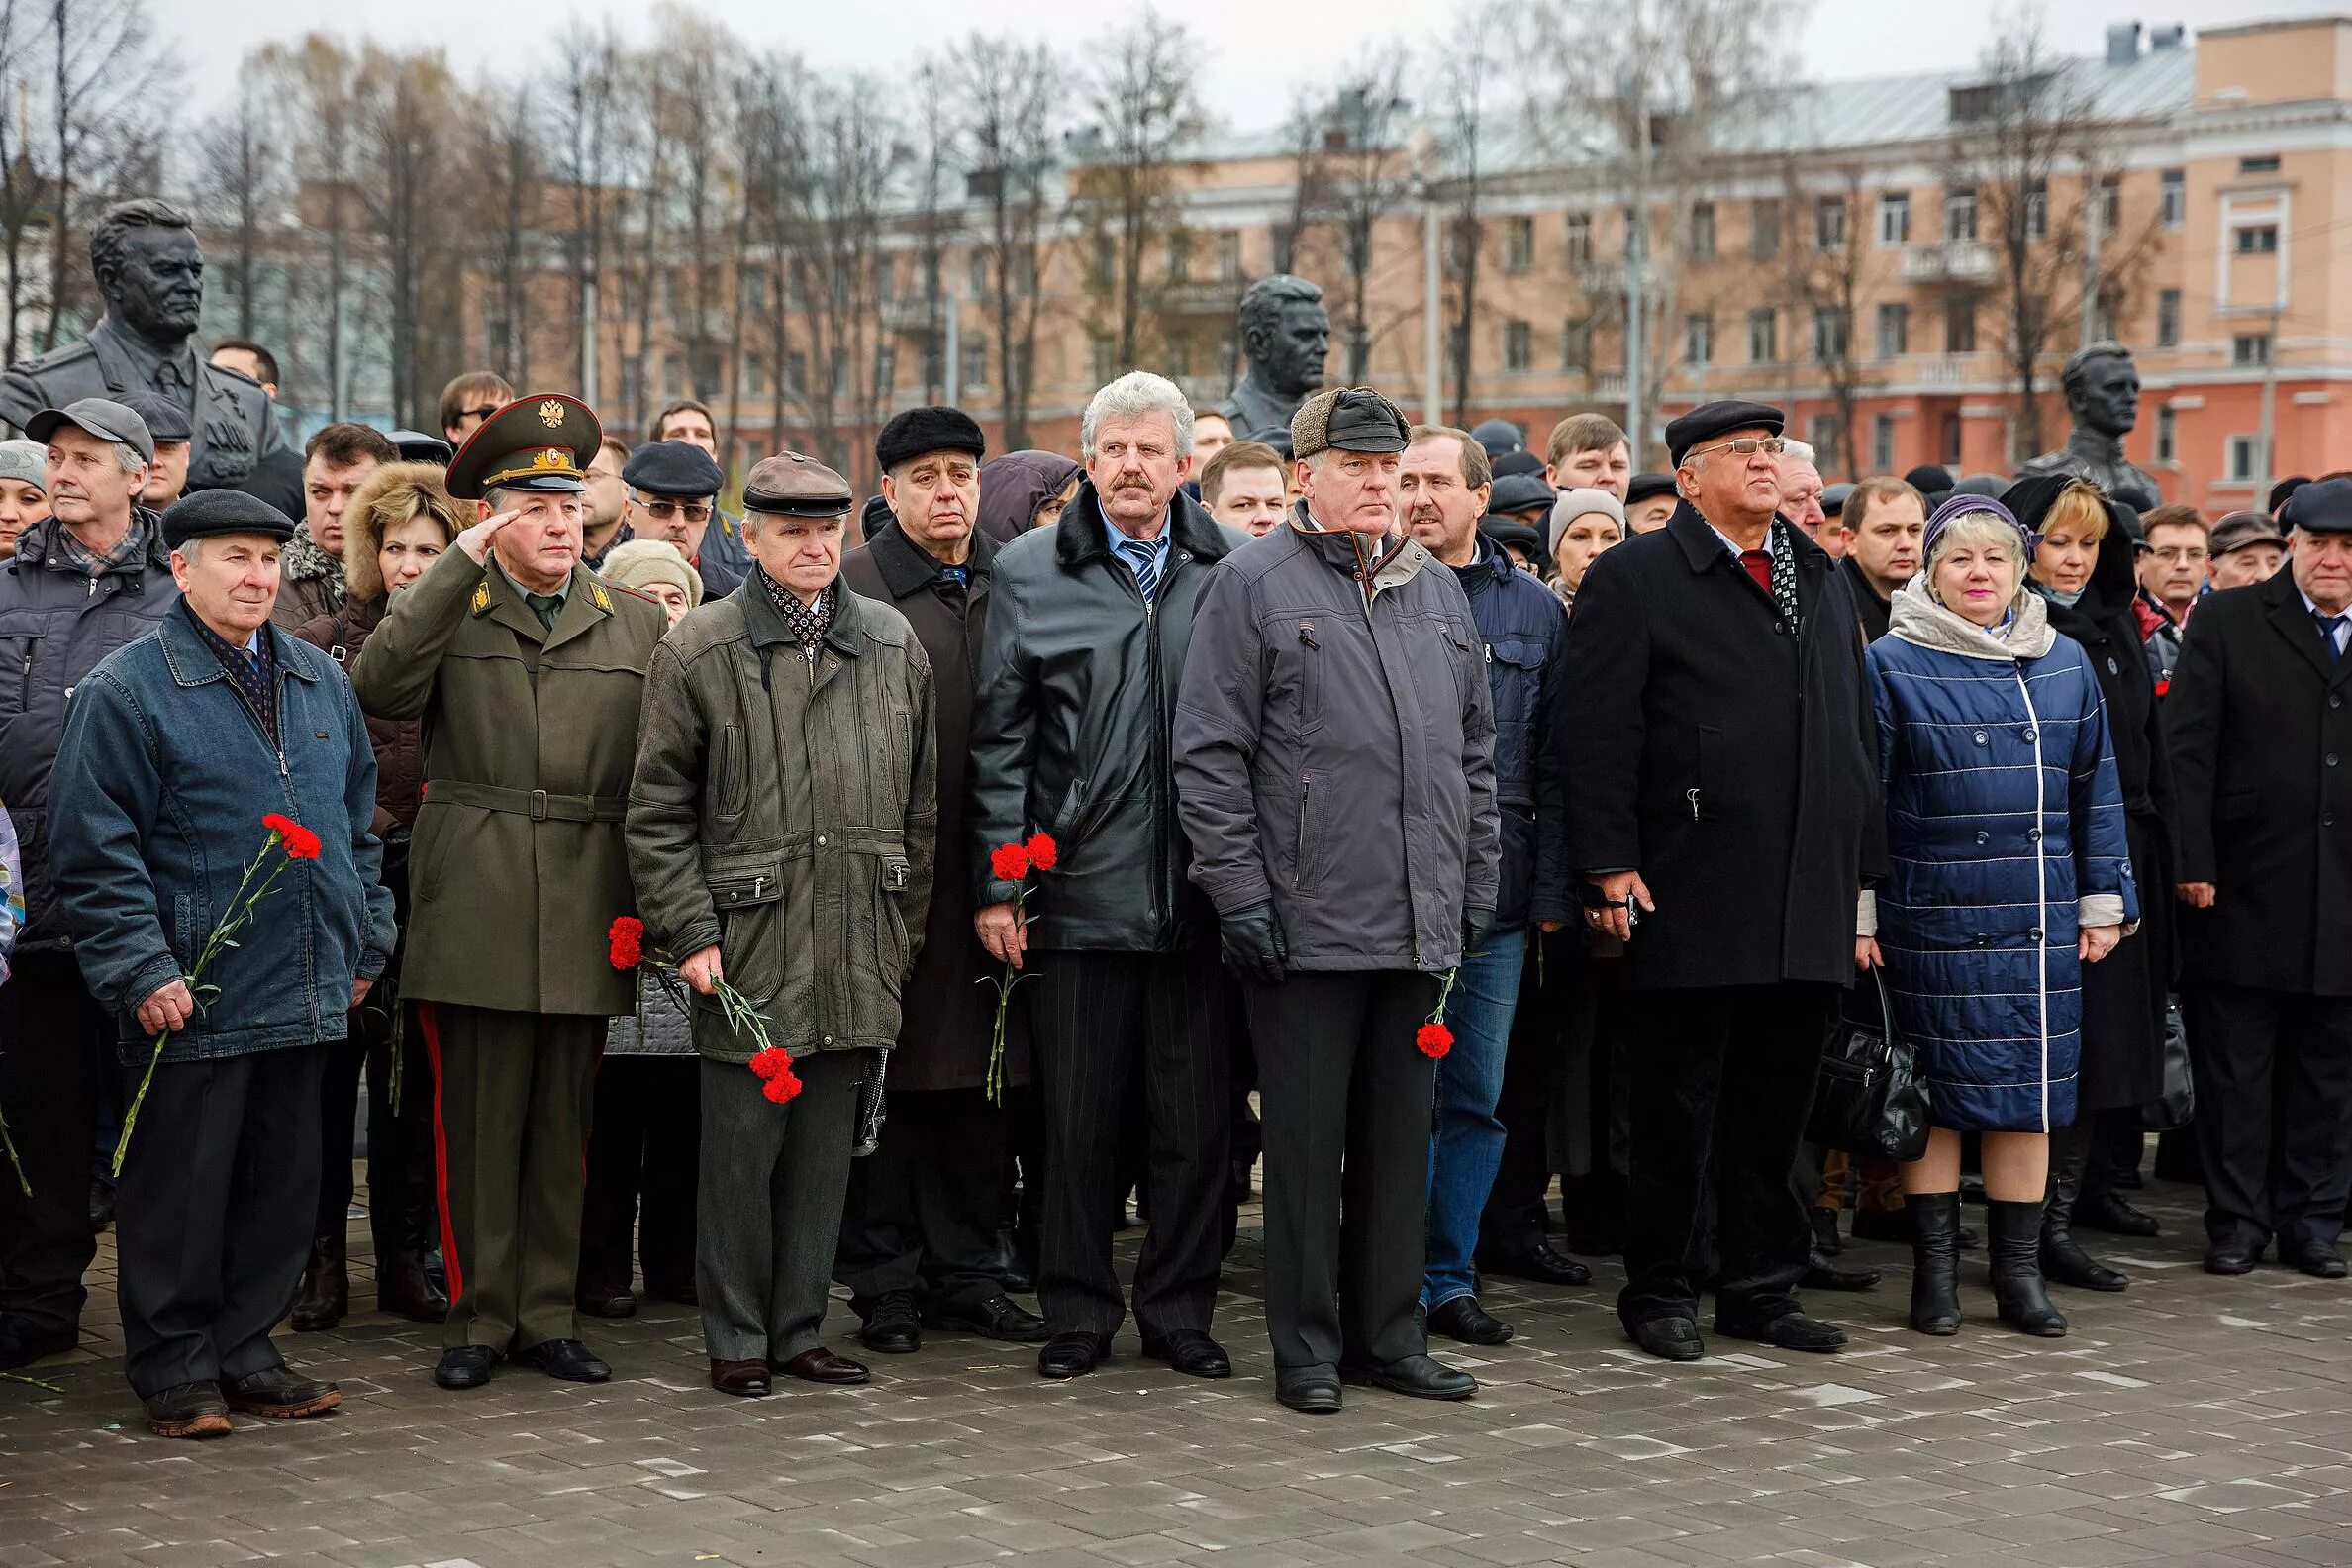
(784, 810)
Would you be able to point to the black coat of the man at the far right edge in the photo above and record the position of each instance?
(2261, 732)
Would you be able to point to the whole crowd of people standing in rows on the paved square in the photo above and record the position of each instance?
(726, 906)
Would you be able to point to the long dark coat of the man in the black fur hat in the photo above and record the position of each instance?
(944, 1033)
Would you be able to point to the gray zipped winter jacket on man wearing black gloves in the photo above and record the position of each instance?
(1337, 756)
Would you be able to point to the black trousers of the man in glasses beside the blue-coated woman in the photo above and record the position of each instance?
(1720, 1094)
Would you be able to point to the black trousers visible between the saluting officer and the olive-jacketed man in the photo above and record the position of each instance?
(643, 1160)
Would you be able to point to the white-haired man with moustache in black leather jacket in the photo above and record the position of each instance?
(1071, 739)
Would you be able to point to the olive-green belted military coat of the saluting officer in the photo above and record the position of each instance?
(516, 866)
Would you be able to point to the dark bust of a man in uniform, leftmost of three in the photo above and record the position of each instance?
(152, 276)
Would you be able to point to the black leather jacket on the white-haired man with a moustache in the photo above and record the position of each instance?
(1071, 732)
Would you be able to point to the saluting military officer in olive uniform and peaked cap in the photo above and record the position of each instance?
(526, 671)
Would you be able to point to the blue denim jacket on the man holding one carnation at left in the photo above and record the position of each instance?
(166, 777)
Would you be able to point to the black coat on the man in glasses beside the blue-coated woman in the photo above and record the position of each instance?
(1728, 763)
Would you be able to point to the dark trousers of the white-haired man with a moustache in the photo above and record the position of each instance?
(1100, 1021)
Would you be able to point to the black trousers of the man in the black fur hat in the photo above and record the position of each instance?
(923, 1207)
